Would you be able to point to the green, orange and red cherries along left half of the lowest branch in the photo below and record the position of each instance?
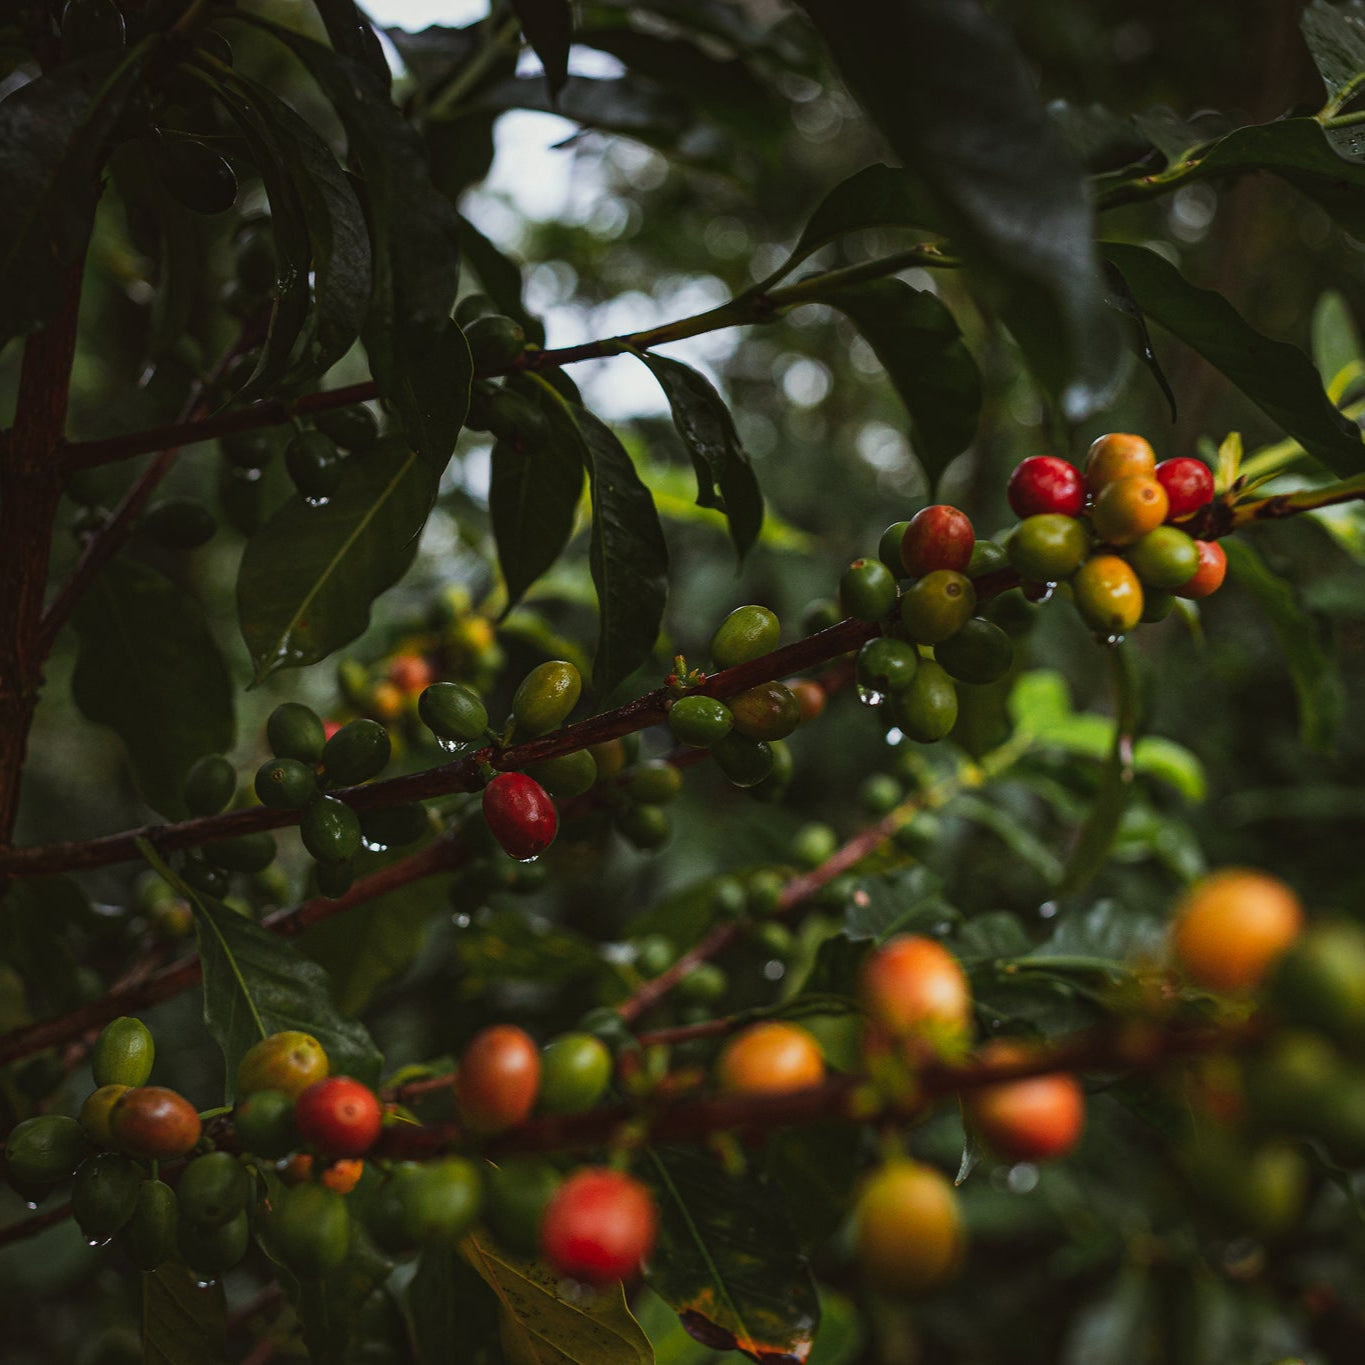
(290, 1165)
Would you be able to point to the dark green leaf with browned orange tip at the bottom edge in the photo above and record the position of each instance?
(728, 1259)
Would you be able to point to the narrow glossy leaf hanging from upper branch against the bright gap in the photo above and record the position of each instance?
(724, 476)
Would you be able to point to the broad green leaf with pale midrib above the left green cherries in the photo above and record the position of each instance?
(309, 577)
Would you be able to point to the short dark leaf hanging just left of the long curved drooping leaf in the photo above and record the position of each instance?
(534, 495)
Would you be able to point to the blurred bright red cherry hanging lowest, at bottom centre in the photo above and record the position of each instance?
(599, 1226)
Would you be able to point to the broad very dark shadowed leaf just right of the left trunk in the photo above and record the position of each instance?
(148, 667)
